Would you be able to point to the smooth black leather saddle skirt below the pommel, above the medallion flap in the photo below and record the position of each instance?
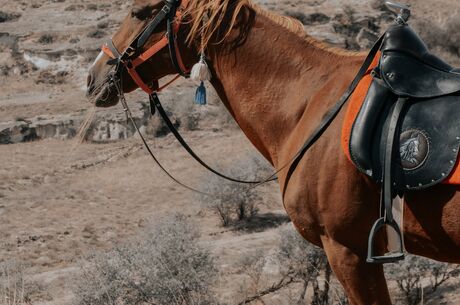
(407, 76)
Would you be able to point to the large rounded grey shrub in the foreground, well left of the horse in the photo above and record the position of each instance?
(166, 267)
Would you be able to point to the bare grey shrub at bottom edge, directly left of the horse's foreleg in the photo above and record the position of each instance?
(300, 266)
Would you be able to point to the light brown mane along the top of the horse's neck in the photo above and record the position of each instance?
(206, 17)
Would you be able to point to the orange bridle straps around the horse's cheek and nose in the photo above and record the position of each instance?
(130, 61)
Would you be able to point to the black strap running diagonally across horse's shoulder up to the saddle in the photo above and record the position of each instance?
(334, 111)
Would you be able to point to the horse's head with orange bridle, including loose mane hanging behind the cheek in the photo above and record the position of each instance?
(162, 37)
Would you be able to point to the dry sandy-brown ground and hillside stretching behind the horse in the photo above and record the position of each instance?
(60, 200)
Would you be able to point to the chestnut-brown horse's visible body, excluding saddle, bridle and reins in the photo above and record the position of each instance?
(278, 83)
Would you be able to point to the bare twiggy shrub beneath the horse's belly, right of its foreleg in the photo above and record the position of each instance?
(411, 277)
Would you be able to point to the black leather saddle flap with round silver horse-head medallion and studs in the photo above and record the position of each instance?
(427, 142)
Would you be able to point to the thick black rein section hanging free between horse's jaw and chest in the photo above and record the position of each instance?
(156, 101)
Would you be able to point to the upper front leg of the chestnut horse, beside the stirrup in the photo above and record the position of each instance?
(364, 283)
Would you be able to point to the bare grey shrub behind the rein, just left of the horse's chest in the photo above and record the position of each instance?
(235, 202)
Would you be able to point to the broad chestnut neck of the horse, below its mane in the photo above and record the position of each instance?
(268, 82)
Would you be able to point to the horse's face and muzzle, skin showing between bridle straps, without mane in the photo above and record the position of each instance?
(107, 78)
